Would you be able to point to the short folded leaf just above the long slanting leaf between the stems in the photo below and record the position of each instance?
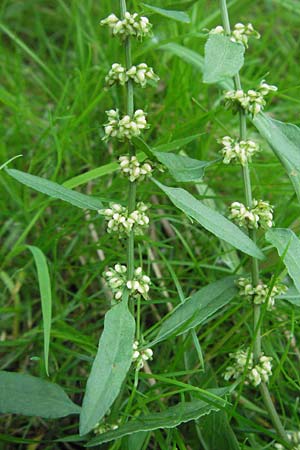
(183, 168)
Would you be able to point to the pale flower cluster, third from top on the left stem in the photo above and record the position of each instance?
(126, 127)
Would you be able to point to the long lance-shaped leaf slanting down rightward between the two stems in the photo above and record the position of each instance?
(211, 220)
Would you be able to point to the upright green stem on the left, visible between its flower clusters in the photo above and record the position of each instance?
(132, 185)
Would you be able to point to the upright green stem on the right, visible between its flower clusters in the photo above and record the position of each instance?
(254, 262)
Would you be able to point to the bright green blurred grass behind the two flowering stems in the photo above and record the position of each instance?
(54, 57)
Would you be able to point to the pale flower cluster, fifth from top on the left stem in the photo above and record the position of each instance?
(122, 222)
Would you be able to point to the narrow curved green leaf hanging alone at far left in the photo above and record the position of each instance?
(46, 297)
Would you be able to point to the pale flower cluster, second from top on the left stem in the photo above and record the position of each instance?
(140, 74)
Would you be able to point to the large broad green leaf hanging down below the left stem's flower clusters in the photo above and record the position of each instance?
(110, 366)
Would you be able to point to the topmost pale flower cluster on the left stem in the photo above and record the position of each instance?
(132, 25)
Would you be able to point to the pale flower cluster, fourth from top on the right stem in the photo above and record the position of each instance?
(260, 215)
